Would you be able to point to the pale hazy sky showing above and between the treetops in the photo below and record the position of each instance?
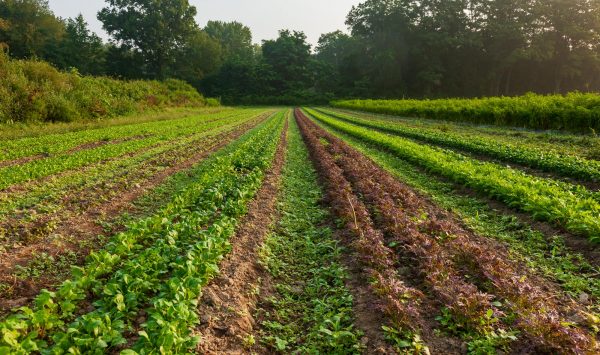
(264, 17)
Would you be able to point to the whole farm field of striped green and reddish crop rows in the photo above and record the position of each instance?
(307, 230)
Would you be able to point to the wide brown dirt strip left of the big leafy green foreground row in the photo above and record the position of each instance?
(79, 234)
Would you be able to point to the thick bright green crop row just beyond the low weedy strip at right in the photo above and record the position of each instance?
(572, 207)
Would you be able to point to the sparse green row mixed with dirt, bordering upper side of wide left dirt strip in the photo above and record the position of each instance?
(30, 216)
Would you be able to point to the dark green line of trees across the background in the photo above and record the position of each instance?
(394, 49)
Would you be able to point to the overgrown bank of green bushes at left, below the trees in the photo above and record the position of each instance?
(32, 90)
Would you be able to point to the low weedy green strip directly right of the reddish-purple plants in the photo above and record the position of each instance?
(547, 255)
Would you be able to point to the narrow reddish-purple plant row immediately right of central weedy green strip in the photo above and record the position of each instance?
(395, 297)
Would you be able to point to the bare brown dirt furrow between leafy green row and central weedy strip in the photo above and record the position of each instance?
(229, 301)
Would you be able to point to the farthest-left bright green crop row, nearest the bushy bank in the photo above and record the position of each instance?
(54, 143)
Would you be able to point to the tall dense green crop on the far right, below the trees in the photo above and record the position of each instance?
(575, 111)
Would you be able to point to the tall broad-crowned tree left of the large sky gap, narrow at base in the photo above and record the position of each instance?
(158, 29)
